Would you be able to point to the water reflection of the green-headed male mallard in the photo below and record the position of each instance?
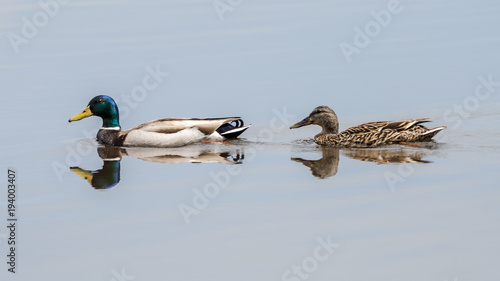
(109, 175)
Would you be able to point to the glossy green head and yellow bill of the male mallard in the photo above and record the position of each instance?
(102, 106)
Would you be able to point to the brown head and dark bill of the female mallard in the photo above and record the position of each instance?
(323, 116)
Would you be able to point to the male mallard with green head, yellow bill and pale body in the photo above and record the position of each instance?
(170, 132)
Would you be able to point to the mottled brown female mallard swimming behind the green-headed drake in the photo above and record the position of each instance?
(366, 135)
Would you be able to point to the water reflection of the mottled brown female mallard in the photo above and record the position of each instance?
(328, 165)
